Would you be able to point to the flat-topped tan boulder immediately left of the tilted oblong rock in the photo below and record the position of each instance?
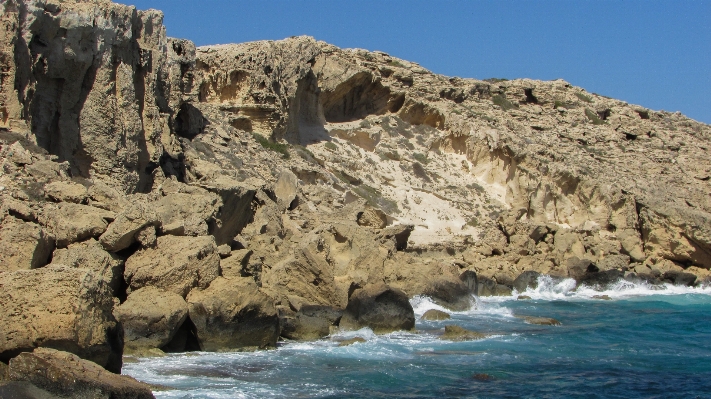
(70, 222)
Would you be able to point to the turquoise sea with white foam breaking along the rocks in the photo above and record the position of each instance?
(644, 343)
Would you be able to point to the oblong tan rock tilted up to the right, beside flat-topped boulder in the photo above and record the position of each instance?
(121, 233)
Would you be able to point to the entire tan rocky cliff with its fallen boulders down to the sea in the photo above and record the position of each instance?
(270, 189)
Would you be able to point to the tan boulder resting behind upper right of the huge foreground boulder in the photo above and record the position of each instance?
(91, 255)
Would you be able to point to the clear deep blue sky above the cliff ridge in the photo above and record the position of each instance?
(655, 53)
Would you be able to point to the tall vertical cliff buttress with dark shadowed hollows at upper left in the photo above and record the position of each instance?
(75, 95)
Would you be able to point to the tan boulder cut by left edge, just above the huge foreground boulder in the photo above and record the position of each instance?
(23, 245)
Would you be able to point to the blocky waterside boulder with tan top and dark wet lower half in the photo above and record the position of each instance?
(232, 313)
